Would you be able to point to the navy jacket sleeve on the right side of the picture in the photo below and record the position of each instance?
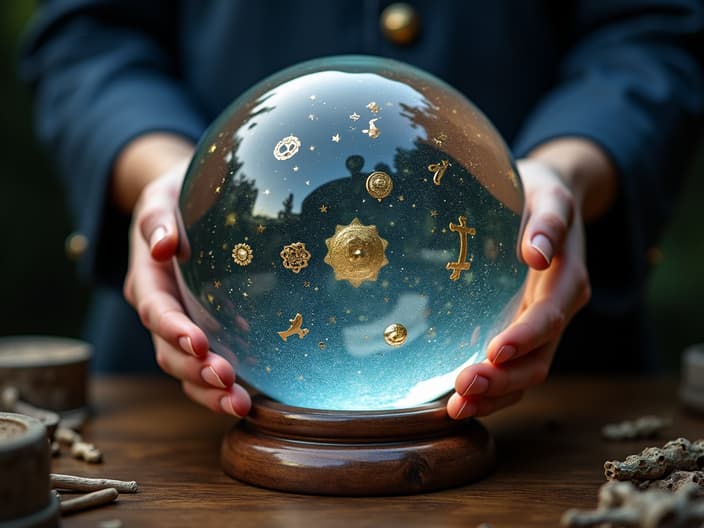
(632, 82)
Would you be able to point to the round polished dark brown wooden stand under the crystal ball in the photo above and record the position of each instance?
(356, 453)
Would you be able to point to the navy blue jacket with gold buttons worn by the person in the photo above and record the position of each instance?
(626, 74)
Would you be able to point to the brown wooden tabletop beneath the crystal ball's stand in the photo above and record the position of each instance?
(550, 458)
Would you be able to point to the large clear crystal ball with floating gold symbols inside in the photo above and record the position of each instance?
(351, 227)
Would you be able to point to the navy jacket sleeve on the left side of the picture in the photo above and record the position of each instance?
(102, 73)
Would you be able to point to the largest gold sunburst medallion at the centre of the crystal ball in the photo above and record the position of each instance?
(356, 253)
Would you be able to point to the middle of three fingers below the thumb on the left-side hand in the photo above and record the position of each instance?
(211, 370)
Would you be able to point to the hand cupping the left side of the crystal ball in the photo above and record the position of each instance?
(150, 287)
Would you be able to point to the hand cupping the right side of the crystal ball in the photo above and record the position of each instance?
(556, 288)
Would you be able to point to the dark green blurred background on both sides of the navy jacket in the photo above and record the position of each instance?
(42, 295)
